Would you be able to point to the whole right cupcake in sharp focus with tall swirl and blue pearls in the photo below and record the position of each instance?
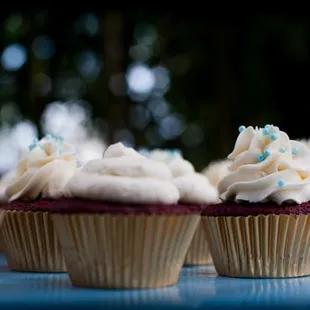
(262, 227)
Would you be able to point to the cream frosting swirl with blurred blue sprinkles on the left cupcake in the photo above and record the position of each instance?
(43, 171)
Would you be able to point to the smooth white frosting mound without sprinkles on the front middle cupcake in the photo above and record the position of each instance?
(124, 176)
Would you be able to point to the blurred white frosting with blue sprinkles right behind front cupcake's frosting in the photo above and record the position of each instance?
(193, 187)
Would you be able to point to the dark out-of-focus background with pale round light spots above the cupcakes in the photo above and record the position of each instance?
(149, 79)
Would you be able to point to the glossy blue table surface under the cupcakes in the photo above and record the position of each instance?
(198, 288)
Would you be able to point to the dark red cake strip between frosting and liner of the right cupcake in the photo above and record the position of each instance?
(234, 209)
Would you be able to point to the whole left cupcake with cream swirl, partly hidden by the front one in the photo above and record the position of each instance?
(40, 177)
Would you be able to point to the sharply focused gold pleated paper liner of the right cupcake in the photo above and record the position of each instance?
(273, 246)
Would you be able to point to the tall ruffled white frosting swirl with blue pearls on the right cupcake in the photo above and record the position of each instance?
(267, 166)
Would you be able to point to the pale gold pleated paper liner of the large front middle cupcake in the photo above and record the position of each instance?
(125, 251)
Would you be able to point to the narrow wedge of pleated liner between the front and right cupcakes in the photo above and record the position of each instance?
(198, 252)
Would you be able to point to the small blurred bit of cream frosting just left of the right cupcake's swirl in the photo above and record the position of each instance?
(216, 171)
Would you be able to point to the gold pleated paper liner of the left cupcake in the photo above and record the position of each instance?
(31, 243)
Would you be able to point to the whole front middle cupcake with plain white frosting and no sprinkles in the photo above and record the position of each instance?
(120, 225)
